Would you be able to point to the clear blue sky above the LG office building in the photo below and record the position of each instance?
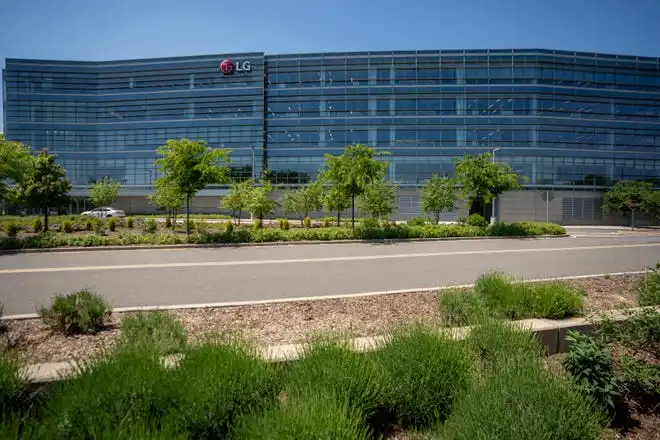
(117, 29)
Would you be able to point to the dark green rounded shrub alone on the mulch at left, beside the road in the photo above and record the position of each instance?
(79, 312)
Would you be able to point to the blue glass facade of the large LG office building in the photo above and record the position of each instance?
(559, 118)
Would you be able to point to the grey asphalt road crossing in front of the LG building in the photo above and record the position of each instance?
(189, 276)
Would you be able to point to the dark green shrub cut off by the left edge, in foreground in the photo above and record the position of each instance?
(13, 383)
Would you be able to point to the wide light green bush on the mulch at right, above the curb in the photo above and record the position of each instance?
(506, 299)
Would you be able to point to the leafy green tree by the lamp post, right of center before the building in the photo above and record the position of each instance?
(482, 180)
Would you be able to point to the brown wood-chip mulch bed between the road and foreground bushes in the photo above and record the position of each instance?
(283, 323)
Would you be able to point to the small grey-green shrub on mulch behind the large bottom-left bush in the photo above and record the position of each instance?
(157, 329)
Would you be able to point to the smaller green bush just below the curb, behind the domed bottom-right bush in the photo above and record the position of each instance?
(498, 345)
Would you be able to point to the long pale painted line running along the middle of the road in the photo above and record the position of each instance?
(313, 260)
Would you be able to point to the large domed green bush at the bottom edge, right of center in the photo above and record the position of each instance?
(521, 403)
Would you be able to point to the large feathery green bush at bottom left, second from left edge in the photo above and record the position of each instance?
(123, 387)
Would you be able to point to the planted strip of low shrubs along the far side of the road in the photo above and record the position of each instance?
(85, 232)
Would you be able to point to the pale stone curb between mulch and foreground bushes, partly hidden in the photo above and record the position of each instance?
(551, 334)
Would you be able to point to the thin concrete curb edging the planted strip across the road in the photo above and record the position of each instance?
(265, 244)
